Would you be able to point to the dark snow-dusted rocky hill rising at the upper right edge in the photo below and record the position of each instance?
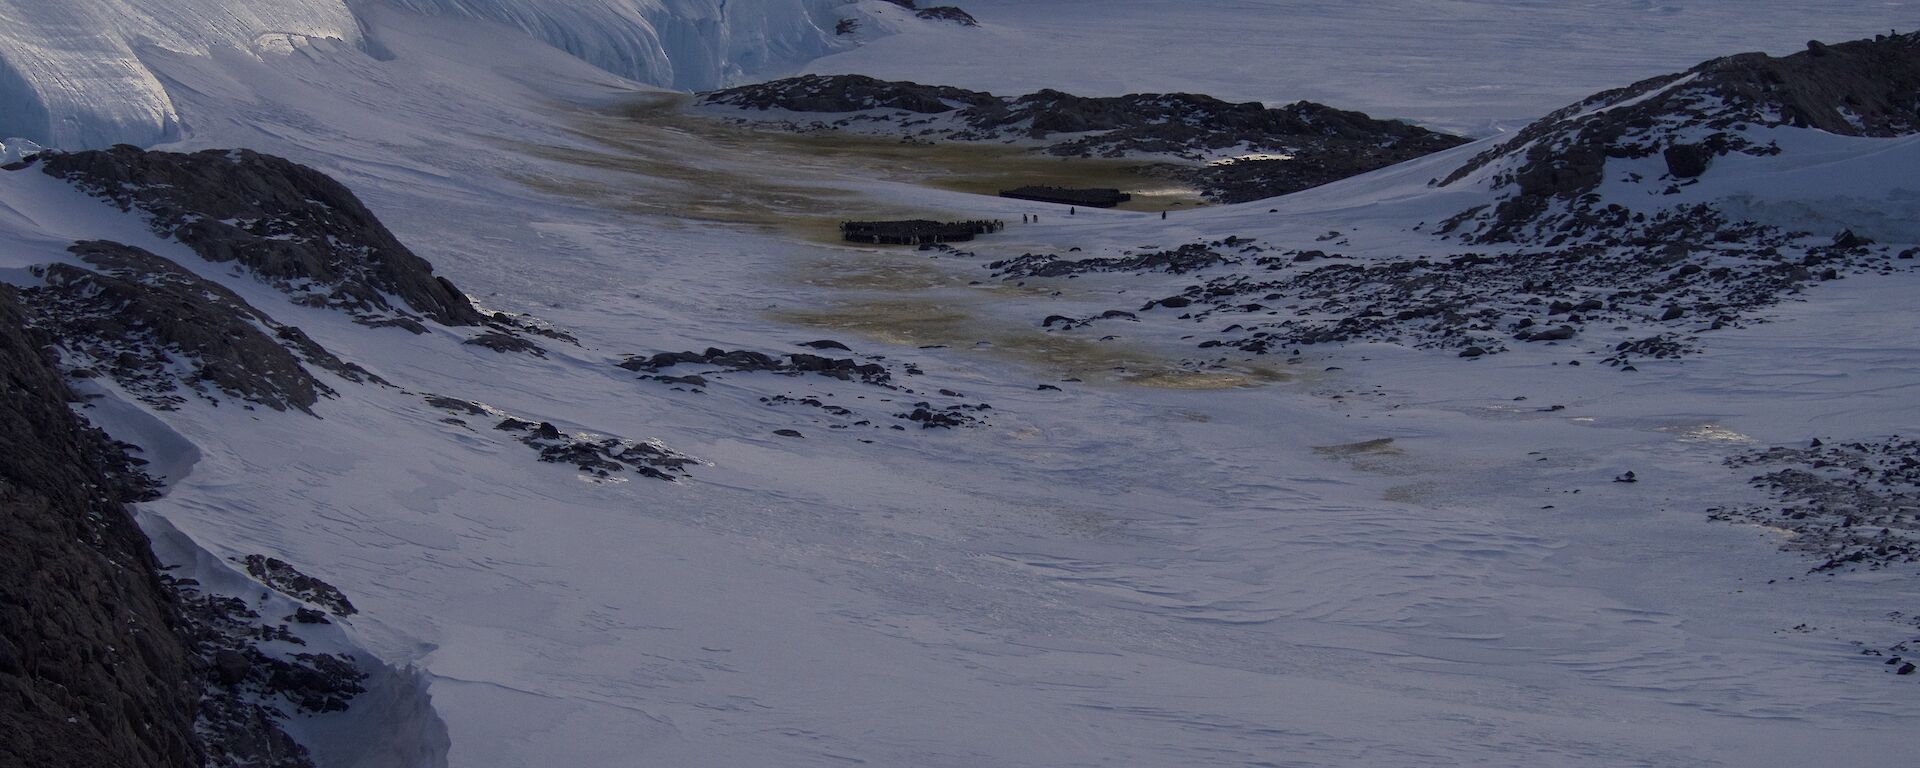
(1548, 170)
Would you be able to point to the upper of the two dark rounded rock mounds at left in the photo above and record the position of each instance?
(287, 224)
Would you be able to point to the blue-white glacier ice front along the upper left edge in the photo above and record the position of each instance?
(74, 72)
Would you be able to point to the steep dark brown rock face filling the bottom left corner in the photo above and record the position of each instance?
(95, 667)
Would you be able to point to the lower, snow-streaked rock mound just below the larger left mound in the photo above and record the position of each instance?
(156, 329)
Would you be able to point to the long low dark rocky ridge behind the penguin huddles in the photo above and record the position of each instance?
(1259, 151)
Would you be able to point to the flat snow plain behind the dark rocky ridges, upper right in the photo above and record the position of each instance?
(1460, 66)
